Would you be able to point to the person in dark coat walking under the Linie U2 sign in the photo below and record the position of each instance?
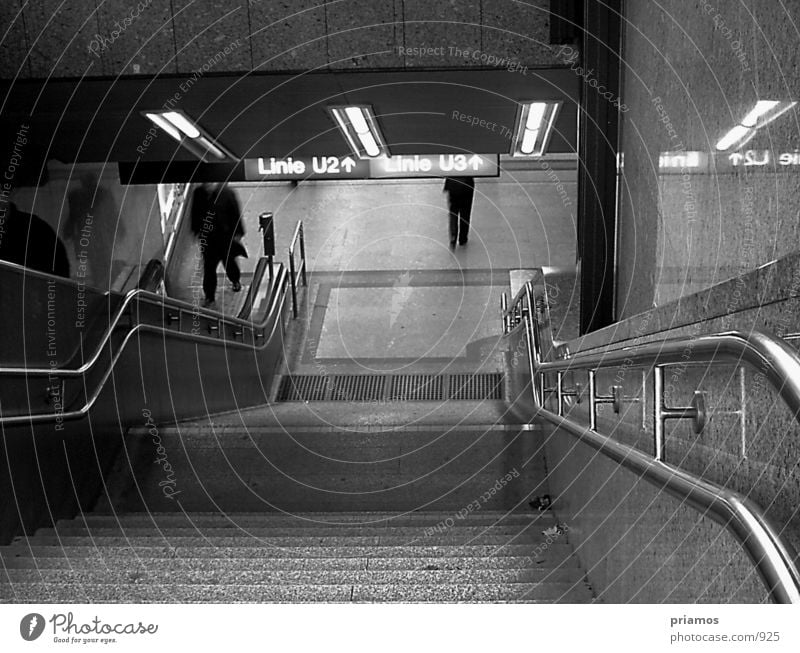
(217, 222)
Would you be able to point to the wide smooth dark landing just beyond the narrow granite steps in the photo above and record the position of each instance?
(430, 469)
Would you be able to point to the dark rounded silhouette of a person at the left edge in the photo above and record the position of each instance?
(28, 240)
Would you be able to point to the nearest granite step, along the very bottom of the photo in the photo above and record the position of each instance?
(344, 593)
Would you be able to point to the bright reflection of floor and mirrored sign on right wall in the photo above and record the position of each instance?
(722, 214)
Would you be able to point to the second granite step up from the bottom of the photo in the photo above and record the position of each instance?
(178, 576)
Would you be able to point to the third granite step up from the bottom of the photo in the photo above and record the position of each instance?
(553, 554)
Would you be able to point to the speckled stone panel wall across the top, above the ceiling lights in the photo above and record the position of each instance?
(114, 37)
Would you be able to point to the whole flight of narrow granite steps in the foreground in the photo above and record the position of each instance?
(247, 557)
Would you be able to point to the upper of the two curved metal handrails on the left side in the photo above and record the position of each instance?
(145, 296)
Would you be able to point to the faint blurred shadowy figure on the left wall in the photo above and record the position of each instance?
(91, 226)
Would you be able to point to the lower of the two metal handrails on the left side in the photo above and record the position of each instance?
(273, 310)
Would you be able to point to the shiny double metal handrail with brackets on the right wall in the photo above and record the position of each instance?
(772, 557)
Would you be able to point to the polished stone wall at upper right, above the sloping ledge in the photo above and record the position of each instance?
(693, 70)
